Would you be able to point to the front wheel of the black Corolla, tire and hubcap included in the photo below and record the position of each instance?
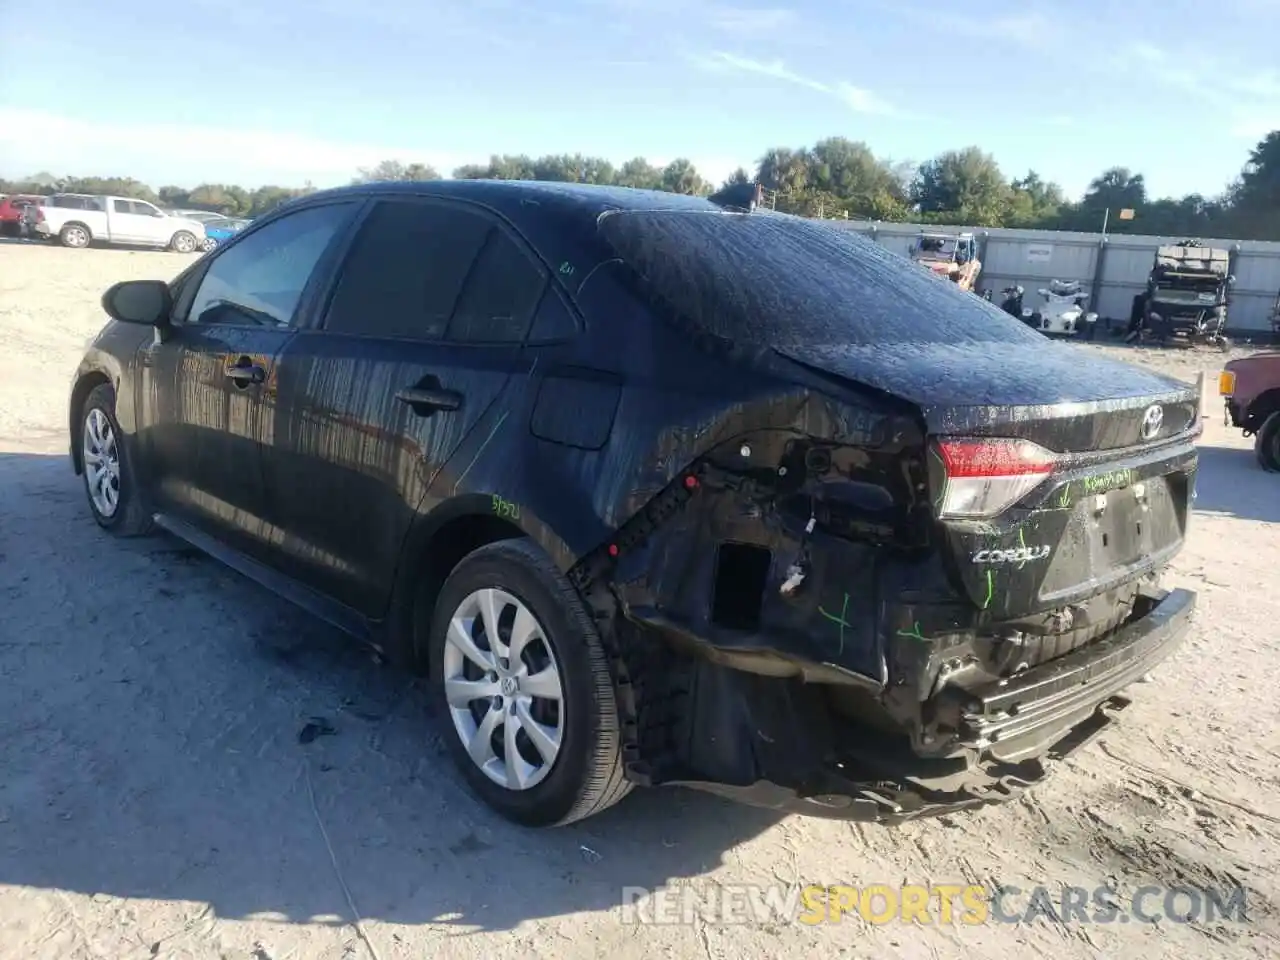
(113, 493)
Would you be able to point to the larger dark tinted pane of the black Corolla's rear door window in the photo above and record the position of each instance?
(406, 271)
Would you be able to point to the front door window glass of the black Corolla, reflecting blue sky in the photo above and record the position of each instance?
(260, 280)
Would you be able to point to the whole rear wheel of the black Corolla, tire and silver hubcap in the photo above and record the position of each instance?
(520, 675)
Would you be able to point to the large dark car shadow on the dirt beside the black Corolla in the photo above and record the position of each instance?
(150, 747)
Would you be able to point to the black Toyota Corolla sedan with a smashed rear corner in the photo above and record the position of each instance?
(659, 493)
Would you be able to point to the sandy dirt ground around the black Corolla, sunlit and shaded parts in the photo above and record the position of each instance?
(156, 799)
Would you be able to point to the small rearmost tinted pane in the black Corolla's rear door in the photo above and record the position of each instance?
(501, 295)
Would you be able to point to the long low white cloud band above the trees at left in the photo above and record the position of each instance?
(34, 140)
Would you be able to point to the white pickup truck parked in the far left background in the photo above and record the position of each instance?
(79, 221)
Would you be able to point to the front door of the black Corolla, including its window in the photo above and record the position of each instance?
(209, 383)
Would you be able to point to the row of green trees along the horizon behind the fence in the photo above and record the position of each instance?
(834, 179)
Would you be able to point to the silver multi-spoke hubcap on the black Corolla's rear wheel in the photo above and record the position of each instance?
(504, 689)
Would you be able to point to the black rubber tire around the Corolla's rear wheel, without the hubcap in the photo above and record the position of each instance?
(587, 776)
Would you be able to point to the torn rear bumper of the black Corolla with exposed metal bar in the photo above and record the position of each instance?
(1012, 729)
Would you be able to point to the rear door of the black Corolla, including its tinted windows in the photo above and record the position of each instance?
(422, 337)
